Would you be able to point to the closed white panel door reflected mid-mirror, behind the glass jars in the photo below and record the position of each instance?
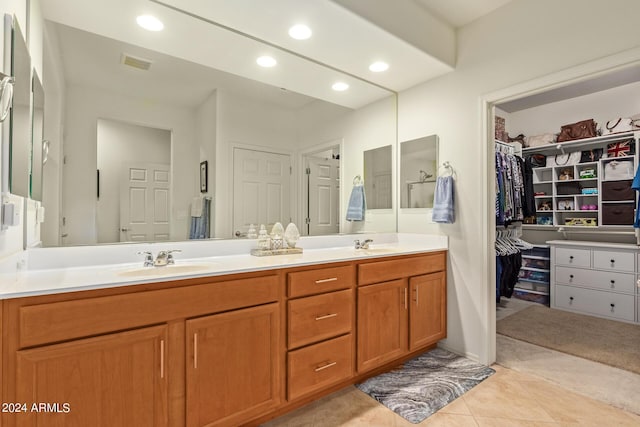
(261, 189)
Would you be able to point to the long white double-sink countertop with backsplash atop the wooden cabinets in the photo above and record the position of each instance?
(44, 275)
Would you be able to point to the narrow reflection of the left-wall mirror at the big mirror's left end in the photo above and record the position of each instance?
(37, 139)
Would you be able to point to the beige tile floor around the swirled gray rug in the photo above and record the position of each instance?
(509, 398)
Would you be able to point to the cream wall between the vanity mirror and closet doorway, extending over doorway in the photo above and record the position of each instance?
(507, 47)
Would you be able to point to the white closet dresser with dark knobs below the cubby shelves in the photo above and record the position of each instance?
(599, 279)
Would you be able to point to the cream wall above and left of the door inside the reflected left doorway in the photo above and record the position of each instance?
(119, 144)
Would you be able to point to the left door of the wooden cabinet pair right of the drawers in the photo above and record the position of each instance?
(382, 323)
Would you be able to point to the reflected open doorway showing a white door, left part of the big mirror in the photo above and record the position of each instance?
(134, 182)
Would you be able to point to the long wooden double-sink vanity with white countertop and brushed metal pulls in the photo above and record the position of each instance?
(223, 340)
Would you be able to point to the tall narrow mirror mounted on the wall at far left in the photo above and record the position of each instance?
(20, 123)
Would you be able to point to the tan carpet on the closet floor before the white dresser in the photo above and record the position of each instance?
(605, 341)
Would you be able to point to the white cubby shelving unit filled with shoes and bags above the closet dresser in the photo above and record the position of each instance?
(590, 194)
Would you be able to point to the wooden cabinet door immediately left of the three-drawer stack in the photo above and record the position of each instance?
(233, 366)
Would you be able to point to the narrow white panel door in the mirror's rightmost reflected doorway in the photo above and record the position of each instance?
(323, 196)
